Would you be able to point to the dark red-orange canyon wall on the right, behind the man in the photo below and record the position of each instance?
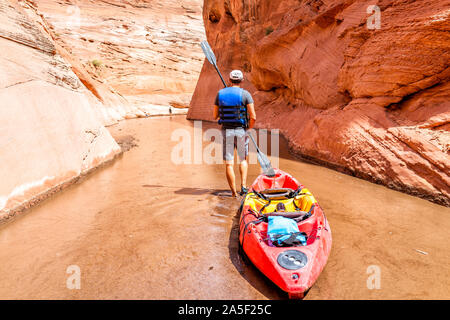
(371, 102)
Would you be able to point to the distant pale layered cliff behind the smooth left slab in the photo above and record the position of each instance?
(147, 52)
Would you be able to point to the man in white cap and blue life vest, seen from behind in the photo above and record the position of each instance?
(235, 110)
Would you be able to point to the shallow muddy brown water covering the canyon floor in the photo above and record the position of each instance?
(145, 228)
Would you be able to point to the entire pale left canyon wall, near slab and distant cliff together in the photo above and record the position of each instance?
(69, 68)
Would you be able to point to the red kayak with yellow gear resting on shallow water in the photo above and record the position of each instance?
(293, 268)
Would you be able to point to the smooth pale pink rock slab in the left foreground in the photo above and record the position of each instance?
(51, 132)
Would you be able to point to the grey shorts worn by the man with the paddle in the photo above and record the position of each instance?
(235, 138)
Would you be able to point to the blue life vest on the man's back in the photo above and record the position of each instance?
(232, 111)
